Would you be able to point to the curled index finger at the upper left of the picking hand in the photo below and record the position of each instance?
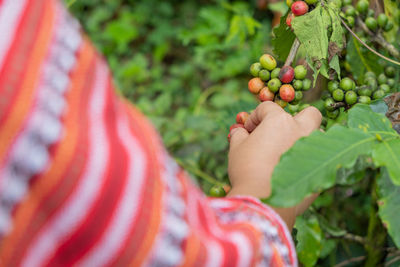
(263, 110)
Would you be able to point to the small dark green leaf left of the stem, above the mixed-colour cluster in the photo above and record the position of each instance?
(282, 40)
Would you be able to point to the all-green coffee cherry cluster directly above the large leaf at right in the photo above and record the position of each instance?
(345, 93)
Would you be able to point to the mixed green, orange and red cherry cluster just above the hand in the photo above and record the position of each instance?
(281, 85)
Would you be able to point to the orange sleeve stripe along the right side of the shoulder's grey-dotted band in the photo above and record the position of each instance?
(65, 151)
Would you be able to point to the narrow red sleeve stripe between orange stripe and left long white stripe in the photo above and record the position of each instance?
(67, 184)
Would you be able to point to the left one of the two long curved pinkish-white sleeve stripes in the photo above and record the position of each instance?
(79, 203)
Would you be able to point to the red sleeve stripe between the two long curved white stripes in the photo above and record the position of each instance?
(99, 216)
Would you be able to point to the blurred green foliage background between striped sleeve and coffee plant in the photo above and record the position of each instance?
(185, 65)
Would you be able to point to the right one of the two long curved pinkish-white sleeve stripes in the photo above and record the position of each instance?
(128, 206)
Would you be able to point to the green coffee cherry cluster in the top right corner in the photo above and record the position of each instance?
(366, 14)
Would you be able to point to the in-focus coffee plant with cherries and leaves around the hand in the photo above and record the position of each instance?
(353, 50)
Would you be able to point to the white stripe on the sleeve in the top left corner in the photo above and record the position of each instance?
(10, 15)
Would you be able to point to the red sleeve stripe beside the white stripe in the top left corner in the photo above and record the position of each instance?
(19, 53)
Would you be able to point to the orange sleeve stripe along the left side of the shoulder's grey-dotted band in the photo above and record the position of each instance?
(15, 119)
